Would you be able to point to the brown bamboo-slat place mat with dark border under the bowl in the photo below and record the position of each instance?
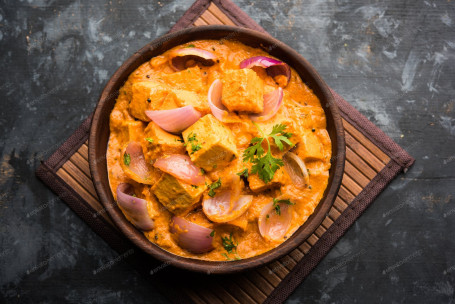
(372, 161)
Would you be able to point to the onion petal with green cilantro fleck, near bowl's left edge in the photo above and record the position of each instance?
(134, 164)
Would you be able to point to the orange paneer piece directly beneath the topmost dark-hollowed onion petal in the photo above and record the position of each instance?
(189, 79)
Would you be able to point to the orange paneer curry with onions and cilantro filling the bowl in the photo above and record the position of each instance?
(217, 150)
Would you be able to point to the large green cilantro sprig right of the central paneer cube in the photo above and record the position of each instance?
(264, 164)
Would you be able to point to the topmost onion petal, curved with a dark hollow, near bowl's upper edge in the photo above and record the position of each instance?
(179, 58)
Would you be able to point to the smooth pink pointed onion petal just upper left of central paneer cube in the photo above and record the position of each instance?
(174, 120)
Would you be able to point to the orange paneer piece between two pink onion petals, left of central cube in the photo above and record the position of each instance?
(163, 143)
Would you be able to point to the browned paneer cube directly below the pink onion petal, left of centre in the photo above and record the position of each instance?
(178, 197)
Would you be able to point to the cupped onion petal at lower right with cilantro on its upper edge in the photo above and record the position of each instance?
(273, 226)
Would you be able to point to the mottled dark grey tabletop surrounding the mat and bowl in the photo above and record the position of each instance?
(393, 60)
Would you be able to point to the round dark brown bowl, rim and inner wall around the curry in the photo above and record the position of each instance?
(99, 135)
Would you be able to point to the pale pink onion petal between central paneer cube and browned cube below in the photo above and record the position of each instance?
(181, 167)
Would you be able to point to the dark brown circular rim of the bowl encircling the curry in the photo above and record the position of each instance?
(214, 267)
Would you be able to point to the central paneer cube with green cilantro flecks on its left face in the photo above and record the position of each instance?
(209, 143)
